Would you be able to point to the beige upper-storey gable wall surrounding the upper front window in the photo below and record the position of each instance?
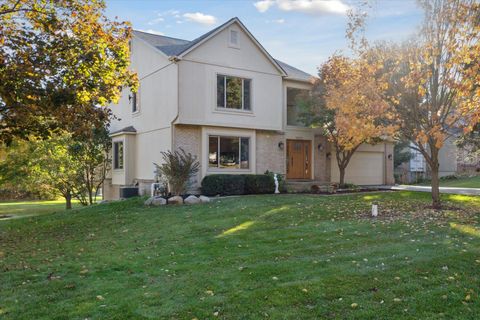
(198, 85)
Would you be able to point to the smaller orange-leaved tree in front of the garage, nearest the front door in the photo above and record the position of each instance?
(346, 103)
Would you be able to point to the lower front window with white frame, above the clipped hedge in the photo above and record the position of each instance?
(228, 152)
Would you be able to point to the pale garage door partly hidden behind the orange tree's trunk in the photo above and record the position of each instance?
(365, 168)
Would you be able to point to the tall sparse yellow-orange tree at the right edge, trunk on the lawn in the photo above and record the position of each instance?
(429, 84)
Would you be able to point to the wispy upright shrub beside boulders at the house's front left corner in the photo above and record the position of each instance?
(178, 168)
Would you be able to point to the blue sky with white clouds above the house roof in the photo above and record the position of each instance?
(302, 33)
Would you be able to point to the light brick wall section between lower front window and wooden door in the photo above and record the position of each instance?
(269, 156)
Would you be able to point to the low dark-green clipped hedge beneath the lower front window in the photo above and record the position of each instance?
(237, 184)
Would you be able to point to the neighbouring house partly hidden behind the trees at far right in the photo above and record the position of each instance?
(417, 168)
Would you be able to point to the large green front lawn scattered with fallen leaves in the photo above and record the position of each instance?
(252, 257)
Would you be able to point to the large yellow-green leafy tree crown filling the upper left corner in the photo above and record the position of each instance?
(60, 62)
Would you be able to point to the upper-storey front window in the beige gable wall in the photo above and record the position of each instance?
(233, 93)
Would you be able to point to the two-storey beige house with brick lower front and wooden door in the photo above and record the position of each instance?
(226, 100)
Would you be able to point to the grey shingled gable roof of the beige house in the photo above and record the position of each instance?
(174, 47)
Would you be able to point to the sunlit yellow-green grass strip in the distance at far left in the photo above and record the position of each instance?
(18, 209)
